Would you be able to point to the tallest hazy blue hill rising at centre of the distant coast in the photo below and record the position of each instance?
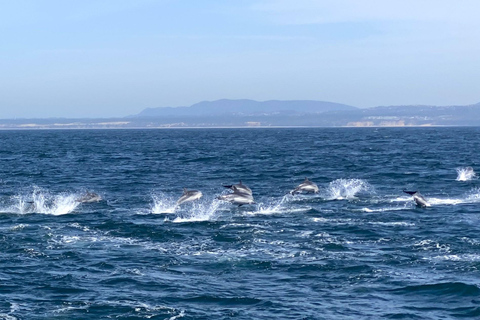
(246, 108)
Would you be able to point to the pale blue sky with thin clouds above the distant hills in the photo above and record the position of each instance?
(113, 58)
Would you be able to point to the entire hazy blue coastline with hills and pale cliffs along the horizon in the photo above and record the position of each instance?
(273, 113)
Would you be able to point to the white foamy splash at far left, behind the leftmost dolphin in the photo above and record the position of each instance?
(41, 201)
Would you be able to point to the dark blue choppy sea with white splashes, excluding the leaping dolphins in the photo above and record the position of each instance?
(359, 249)
